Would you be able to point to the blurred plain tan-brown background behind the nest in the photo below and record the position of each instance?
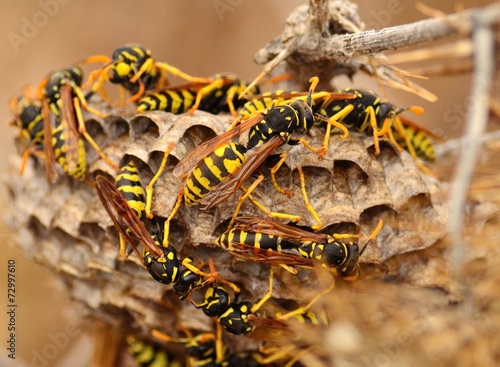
(201, 38)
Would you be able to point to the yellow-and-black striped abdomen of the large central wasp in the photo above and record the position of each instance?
(212, 170)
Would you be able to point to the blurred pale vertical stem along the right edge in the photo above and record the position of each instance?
(483, 40)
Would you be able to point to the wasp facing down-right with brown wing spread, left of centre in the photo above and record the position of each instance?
(160, 259)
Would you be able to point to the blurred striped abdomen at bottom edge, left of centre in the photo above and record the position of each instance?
(146, 354)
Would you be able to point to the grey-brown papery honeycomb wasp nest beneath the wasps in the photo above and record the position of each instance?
(64, 227)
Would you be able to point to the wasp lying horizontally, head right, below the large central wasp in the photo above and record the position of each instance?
(268, 241)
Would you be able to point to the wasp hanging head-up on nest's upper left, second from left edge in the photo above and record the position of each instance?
(63, 123)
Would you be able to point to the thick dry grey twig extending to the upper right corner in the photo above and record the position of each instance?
(341, 48)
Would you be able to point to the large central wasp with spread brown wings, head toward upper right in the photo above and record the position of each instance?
(217, 168)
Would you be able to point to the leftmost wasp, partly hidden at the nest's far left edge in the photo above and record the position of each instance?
(27, 111)
